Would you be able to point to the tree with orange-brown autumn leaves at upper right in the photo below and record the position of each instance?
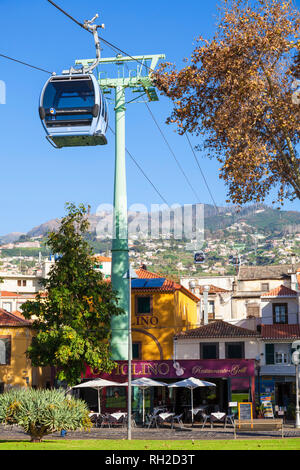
(236, 92)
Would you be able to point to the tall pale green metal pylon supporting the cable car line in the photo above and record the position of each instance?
(140, 83)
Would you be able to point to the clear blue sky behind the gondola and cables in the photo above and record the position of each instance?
(37, 180)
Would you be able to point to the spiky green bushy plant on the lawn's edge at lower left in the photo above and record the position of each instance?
(42, 412)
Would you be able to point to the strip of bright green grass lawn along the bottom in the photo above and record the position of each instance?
(238, 444)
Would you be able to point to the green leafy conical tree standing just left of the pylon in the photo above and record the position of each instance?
(71, 318)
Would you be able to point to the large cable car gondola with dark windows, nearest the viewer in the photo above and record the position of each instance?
(73, 110)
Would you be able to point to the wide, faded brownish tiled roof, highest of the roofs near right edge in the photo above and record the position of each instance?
(248, 273)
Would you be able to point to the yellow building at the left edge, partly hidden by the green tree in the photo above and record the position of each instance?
(15, 368)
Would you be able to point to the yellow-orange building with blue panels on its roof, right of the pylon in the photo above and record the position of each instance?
(160, 309)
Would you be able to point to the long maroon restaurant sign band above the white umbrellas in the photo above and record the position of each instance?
(230, 368)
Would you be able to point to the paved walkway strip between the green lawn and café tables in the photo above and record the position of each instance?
(195, 433)
